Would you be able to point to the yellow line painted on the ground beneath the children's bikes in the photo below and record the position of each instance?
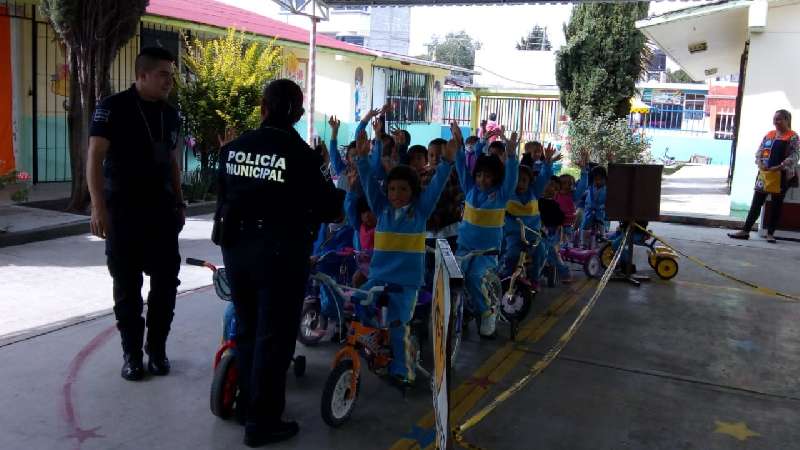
(493, 370)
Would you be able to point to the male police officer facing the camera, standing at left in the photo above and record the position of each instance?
(137, 206)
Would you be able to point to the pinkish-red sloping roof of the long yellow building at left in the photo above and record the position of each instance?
(220, 15)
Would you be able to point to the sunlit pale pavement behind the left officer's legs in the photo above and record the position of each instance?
(66, 279)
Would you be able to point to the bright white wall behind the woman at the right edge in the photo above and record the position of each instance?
(771, 84)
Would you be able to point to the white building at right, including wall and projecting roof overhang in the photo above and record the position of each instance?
(743, 38)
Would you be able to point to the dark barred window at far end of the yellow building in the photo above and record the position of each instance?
(409, 93)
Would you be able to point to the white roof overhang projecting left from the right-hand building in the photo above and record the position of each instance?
(706, 41)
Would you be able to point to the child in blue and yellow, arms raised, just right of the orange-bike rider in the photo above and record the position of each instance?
(487, 191)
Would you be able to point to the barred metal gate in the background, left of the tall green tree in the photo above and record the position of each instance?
(535, 119)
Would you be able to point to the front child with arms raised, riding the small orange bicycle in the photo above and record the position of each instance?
(398, 259)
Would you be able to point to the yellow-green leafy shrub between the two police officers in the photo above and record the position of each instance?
(221, 93)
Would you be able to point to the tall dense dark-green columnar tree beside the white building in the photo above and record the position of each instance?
(596, 71)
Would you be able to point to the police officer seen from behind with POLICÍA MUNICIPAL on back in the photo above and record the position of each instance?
(273, 195)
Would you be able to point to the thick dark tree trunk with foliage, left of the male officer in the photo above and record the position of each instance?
(93, 31)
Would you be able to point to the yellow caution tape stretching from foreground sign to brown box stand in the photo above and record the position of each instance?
(549, 357)
